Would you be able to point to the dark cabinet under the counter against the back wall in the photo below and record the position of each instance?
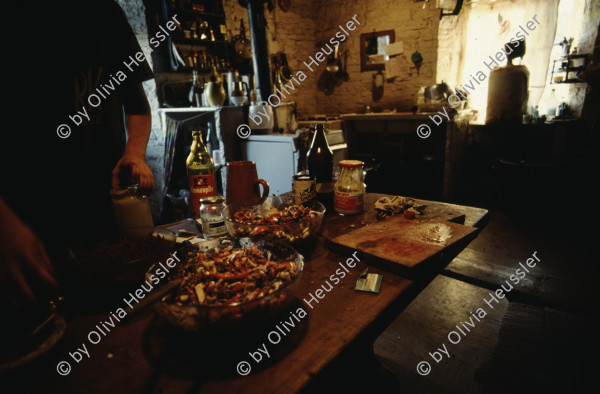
(402, 162)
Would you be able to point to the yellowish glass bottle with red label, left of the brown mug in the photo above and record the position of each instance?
(201, 173)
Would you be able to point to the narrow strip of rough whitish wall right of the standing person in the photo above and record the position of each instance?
(135, 12)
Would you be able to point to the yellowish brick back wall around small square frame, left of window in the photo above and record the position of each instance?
(416, 27)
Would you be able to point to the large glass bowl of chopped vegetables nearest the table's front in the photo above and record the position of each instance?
(223, 283)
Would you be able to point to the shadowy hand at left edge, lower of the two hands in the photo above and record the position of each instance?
(23, 258)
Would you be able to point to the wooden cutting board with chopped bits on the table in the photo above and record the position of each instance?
(403, 243)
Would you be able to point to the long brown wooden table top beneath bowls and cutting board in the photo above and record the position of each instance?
(141, 354)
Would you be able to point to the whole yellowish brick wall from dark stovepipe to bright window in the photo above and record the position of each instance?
(308, 22)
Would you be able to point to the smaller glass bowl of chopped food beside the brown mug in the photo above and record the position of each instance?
(277, 218)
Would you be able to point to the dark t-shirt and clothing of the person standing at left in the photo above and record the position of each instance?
(60, 186)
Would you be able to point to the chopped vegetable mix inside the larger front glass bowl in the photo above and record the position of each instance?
(229, 275)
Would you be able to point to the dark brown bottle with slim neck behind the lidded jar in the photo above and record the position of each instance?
(319, 161)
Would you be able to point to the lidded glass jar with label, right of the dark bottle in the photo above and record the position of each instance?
(349, 189)
